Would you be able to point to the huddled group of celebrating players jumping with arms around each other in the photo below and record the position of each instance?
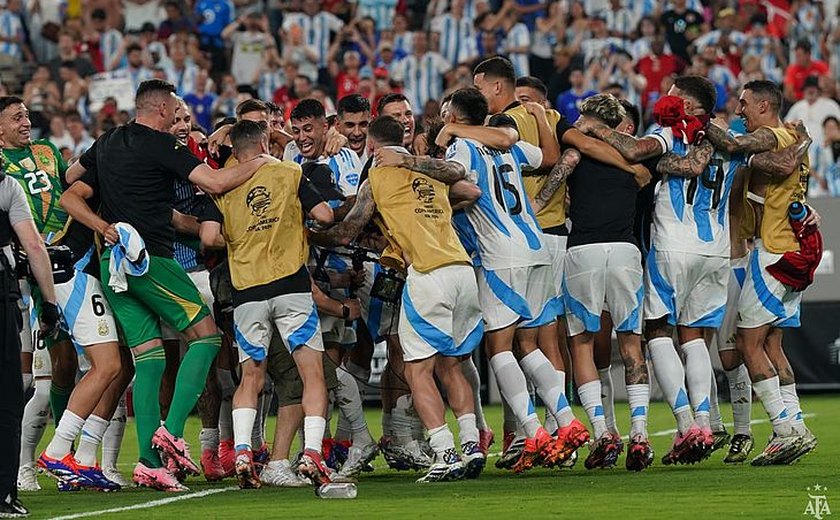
(267, 259)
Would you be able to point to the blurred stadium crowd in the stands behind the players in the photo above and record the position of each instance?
(218, 53)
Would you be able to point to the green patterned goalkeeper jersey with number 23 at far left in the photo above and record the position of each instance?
(40, 169)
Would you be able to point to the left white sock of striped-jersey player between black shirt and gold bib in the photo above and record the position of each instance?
(669, 372)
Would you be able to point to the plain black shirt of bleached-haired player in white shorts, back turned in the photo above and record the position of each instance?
(603, 204)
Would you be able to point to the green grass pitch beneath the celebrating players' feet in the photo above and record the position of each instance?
(707, 490)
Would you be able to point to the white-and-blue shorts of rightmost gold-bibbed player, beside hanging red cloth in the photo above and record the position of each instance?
(764, 299)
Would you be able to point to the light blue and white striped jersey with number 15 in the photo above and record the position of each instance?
(502, 224)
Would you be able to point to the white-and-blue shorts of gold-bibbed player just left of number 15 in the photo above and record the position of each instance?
(440, 313)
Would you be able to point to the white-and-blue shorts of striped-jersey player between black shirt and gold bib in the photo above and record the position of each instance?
(689, 289)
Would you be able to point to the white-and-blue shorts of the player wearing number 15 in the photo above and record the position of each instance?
(525, 296)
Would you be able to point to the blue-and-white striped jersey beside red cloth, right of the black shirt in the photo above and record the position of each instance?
(691, 215)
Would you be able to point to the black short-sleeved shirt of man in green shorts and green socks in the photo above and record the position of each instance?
(136, 168)
